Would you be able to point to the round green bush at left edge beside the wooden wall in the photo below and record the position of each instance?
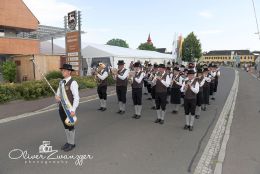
(9, 71)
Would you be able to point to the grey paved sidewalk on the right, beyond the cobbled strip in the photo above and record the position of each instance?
(242, 154)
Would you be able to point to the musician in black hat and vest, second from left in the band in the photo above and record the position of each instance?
(121, 85)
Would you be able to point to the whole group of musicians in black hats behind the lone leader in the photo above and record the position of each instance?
(192, 85)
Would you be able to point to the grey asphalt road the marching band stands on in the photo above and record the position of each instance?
(118, 144)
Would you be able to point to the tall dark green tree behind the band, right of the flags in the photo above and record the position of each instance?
(191, 48)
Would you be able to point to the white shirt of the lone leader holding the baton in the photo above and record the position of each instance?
(75, 92)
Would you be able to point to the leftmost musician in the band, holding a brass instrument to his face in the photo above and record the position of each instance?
(102, 86)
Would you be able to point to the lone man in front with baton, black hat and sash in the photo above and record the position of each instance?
(72, 92)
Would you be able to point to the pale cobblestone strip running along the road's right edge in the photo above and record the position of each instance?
(207, 161)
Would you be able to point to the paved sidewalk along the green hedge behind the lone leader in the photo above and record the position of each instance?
(18, 107)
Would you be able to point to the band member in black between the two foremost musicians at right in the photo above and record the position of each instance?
(176, 90)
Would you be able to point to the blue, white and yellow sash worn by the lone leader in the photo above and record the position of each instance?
(66, 105)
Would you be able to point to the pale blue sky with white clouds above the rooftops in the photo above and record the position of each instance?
(219, 24)
